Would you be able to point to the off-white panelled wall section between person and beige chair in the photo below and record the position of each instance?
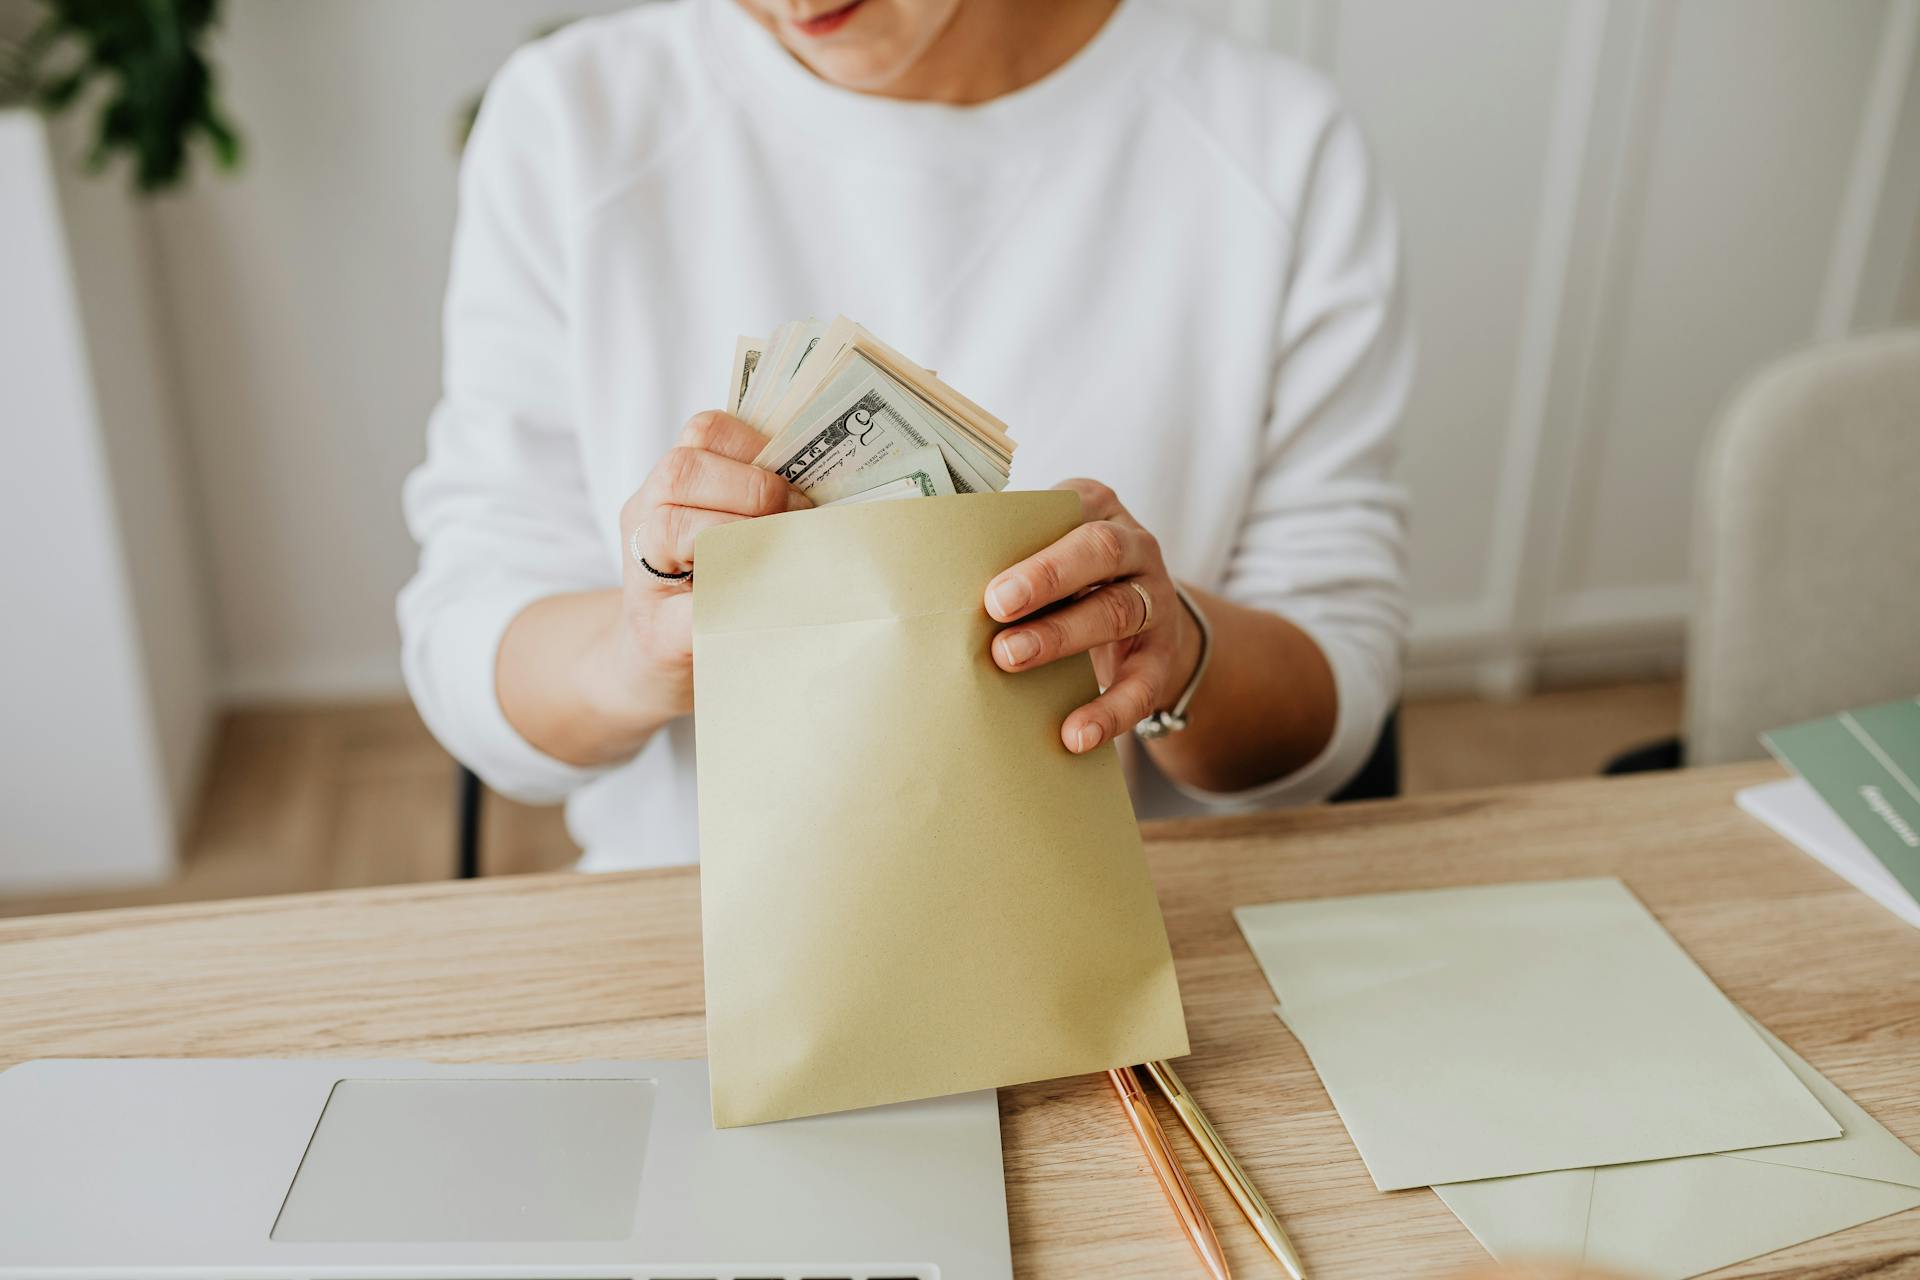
(1614, 214)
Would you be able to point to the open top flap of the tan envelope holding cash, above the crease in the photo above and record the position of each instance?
(884, 559)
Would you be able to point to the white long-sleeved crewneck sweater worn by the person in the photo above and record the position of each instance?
(1166, 266)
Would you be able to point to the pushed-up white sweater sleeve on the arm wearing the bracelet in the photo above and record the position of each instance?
(1324, 542)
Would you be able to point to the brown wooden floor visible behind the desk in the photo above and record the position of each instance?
(343, 797)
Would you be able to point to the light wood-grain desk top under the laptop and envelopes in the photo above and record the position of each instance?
(554, 968)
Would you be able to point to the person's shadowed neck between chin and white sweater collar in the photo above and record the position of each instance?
(997, 47)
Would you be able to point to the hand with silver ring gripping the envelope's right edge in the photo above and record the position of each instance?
(1107, 590)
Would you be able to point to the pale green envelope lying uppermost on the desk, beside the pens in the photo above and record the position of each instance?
(1491, 1031)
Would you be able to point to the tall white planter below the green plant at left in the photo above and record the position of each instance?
(105, 675)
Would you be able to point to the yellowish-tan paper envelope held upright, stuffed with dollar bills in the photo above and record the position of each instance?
(909, 888)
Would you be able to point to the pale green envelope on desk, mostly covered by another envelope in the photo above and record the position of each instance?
(1679, 1218)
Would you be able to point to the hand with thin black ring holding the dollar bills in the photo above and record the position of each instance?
(704, 481)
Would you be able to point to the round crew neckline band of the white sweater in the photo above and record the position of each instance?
(761, 70)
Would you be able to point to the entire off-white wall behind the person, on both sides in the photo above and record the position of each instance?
(1612, 210)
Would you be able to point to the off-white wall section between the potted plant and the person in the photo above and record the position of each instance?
(306, 314)
